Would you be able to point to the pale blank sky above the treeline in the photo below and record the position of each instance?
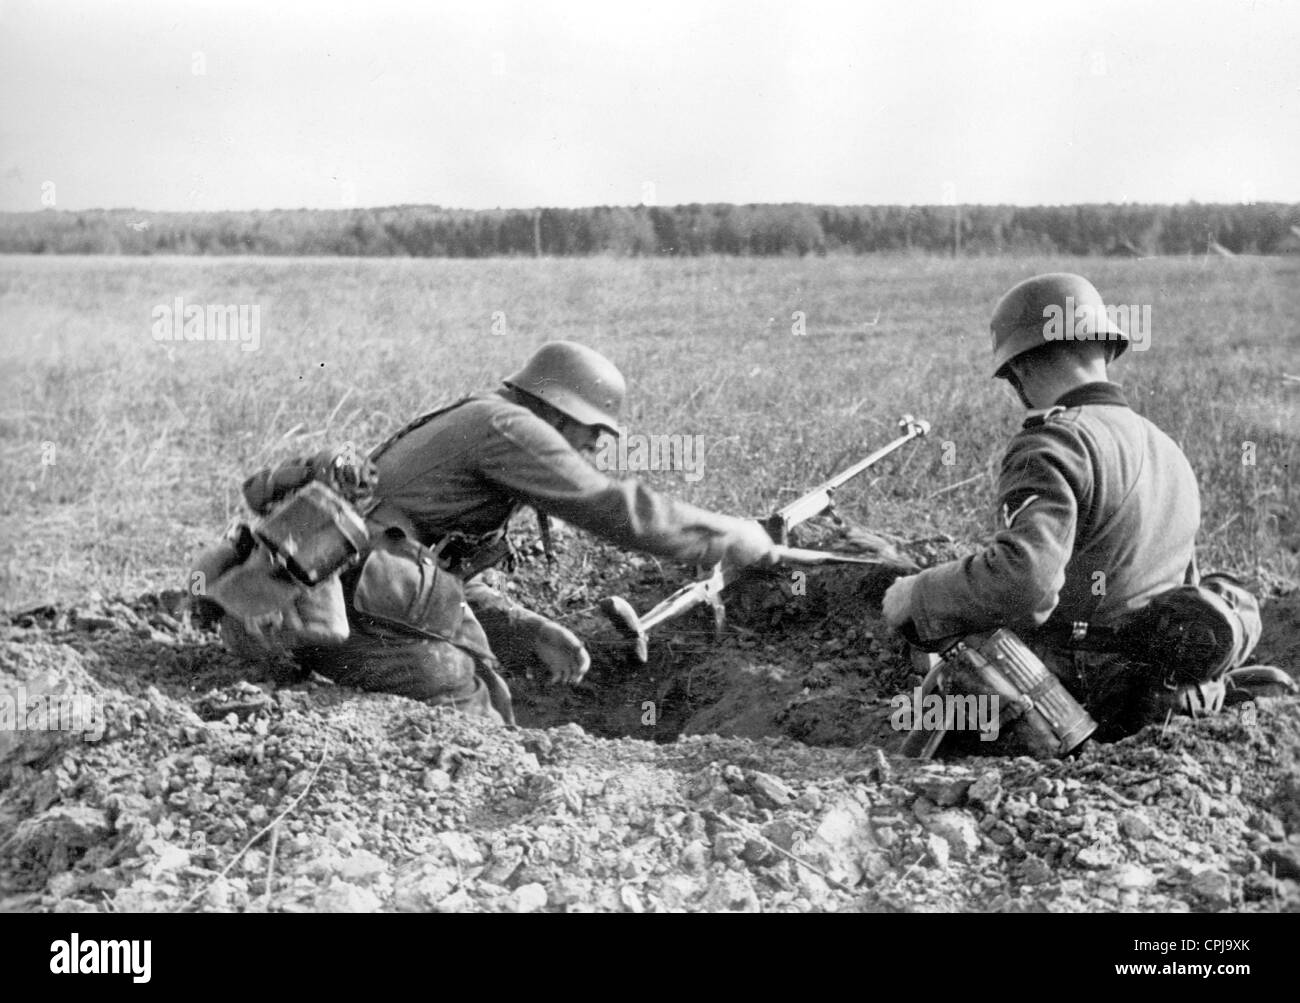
(284, 105)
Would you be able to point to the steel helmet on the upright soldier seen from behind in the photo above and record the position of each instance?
(1051, 309)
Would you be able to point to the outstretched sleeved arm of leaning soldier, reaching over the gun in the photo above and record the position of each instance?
(534, 463)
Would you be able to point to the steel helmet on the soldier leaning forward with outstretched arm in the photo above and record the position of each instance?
(577, 381)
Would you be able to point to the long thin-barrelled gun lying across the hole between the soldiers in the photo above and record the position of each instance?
(708, 592)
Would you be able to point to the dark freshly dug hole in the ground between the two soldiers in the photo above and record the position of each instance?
(804, 655)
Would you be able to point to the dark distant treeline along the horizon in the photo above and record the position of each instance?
(713, 229)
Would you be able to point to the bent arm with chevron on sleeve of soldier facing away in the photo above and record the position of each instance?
(1017, 580)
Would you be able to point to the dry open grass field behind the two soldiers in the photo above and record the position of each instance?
(123, 455)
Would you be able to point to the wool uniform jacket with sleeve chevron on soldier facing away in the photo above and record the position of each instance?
(1098, 514)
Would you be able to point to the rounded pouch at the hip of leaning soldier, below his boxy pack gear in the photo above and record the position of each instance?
(401, 585)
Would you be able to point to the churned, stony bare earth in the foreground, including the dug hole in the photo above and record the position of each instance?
(224, 789)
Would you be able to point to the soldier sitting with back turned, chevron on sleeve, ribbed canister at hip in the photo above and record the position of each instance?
(1094, 563)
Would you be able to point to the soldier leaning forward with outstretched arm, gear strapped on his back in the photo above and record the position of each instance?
(409, 613)
